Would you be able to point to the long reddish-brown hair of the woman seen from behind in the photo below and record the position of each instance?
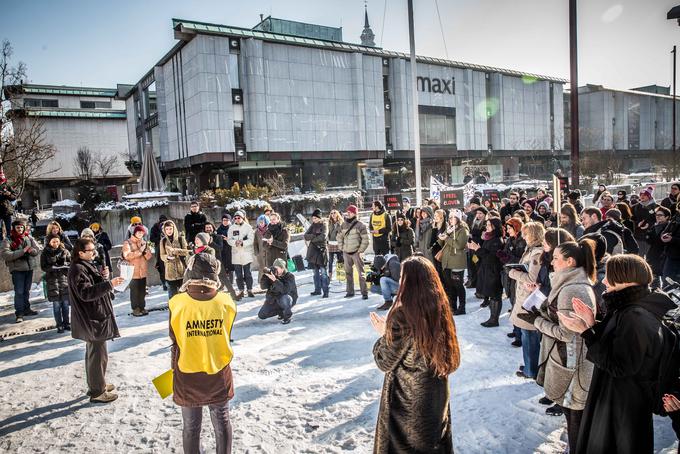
(428, 320)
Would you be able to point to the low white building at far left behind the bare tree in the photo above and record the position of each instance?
(72, 118)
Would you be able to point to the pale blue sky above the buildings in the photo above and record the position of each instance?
(622, 44)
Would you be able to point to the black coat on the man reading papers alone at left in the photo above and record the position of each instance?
(92, 317)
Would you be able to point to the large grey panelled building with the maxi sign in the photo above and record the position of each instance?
(235, 104)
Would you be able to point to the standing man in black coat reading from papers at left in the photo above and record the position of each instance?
(92, 318)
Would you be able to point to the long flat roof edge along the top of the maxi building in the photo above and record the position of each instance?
(187, 27)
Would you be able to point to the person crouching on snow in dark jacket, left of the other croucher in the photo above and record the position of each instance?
(281, 292)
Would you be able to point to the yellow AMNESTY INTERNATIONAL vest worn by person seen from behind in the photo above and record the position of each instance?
(202, 330)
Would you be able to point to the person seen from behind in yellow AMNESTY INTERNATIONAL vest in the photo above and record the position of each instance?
(201, 319)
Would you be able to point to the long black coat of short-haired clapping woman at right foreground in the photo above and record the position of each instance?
(626, 349)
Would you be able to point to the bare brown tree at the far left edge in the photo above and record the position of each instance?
(23, 146)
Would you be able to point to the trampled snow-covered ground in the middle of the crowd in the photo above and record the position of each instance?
(307, 387)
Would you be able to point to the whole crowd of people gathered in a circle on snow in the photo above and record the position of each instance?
(583, 286)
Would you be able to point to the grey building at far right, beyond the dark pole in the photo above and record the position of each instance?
(635, 126)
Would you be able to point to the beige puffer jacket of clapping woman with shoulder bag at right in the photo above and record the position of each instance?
(567, 372)
